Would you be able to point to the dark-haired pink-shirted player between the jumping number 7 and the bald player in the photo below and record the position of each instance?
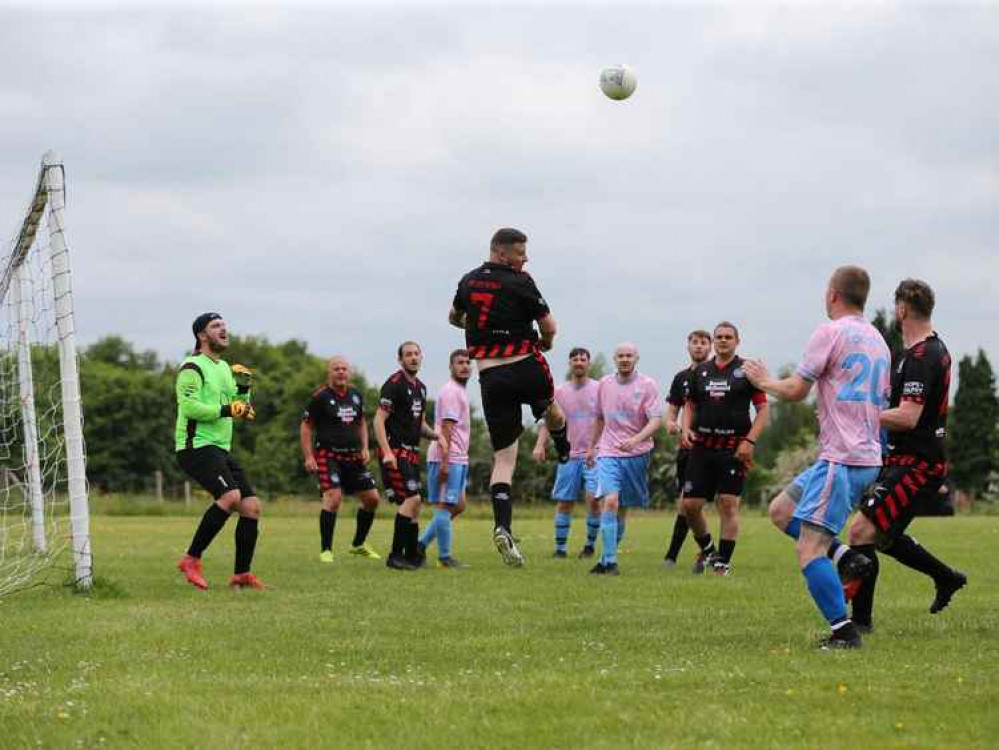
(578, 401)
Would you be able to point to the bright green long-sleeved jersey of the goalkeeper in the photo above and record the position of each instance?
(203, 387)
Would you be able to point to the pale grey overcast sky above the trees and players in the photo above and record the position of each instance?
(328, 174)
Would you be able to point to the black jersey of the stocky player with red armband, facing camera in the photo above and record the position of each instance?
(721, 397)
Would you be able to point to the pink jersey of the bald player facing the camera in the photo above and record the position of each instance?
(626, 408)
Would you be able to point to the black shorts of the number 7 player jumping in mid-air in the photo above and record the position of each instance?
(506, 388)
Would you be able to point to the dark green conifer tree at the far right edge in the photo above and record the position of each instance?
(974, 428)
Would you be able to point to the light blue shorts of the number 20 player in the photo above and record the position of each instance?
(827, 493)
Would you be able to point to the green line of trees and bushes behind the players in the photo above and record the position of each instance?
(130, 412)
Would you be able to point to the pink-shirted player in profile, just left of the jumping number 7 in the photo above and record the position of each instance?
(447, 459)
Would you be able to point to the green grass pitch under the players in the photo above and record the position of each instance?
(354, 655)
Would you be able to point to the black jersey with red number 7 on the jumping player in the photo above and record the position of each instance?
(500, 306)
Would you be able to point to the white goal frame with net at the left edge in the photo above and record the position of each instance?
(43, 482)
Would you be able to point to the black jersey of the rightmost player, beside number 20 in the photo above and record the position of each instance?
(922, 376)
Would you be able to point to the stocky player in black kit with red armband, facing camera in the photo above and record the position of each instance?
(720, 436)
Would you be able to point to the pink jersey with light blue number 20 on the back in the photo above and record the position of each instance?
(850, 364)
